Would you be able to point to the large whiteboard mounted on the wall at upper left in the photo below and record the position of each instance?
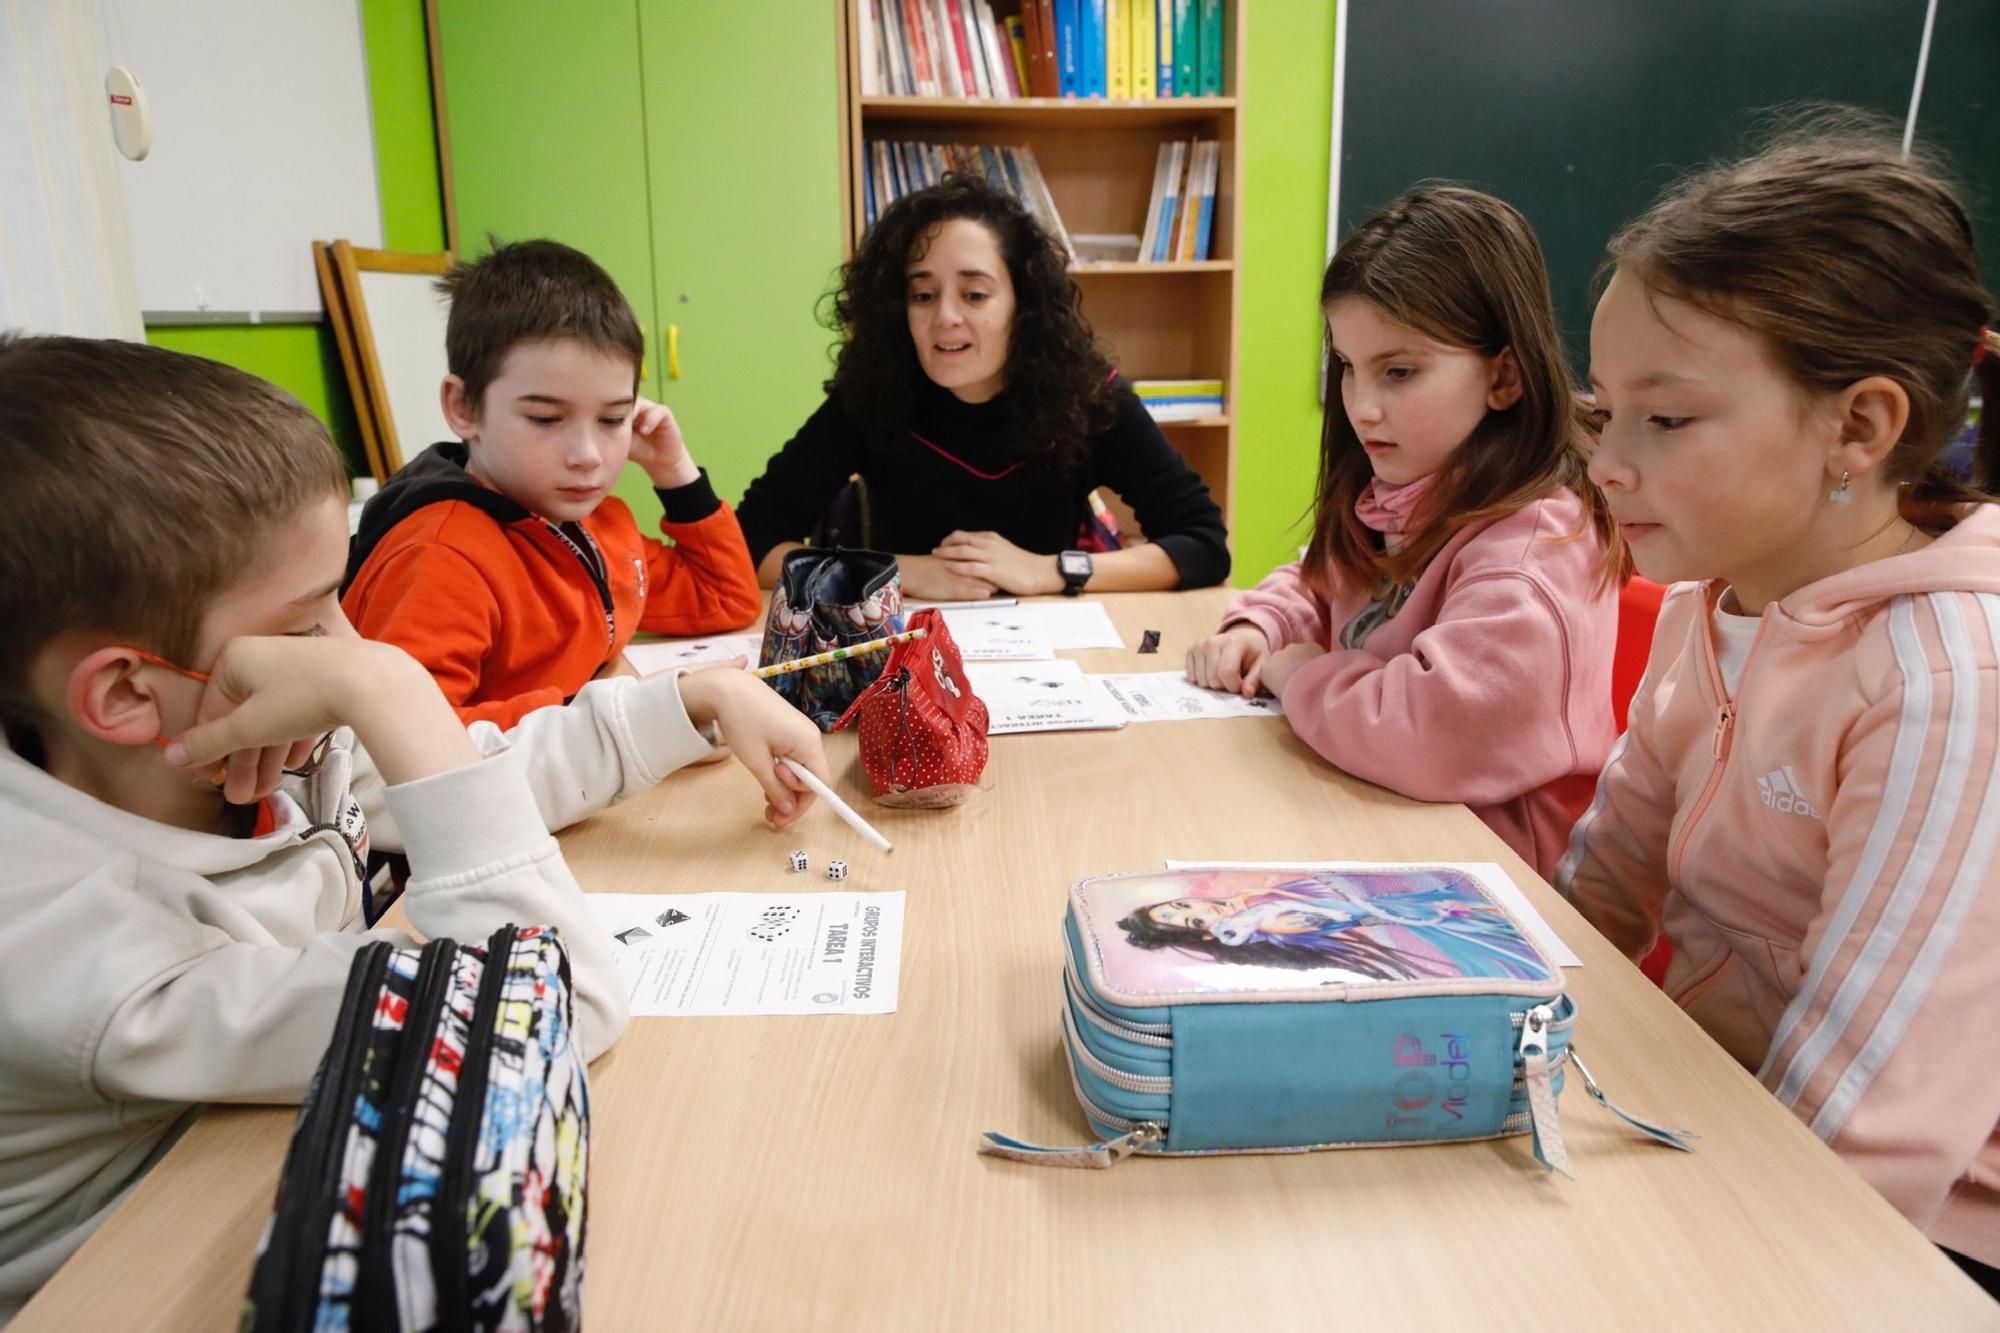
(263, 145)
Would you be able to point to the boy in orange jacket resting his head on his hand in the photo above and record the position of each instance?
(501, 561)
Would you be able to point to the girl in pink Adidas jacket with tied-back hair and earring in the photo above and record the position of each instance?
(1807, 800)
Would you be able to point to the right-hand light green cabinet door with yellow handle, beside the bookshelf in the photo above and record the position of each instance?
(743, 137)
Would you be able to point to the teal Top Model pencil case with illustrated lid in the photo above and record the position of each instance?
(1295, 1010)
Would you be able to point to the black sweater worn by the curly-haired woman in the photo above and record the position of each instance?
(957, 477)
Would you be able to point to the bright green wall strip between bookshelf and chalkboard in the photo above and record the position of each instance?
(1289, 99)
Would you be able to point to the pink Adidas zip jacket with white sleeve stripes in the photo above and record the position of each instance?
(1821, 854)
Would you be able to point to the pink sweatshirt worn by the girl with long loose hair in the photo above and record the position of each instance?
(1491, 686)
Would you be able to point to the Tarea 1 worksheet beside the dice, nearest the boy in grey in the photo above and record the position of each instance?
(749, 954)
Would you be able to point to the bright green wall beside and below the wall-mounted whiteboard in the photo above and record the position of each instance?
(303, 357)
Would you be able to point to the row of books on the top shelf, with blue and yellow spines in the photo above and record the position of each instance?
(1049, 49)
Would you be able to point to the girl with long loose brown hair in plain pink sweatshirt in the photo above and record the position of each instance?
(1449, 631)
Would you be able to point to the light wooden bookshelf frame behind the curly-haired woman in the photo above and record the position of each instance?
(1159, 321)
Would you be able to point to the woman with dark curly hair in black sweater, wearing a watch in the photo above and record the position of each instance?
(979, 411)
